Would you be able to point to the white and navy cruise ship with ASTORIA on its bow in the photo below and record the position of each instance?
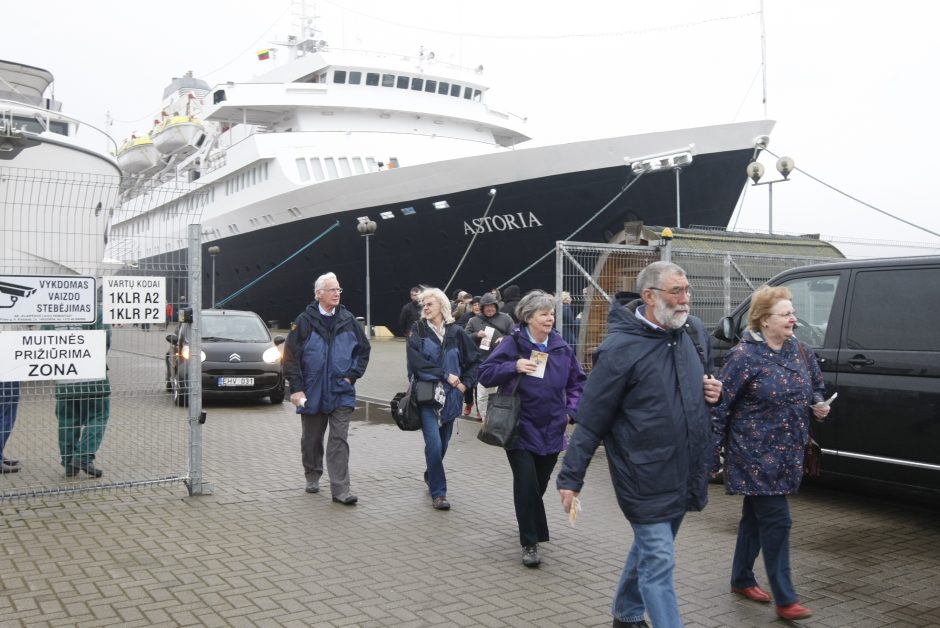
(347, 161)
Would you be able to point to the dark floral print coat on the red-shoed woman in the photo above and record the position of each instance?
(762, 423)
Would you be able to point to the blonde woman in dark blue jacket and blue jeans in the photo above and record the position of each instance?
(439, 351)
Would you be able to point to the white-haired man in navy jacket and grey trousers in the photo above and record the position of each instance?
(325, 353)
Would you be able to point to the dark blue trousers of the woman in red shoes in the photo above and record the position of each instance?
(765, 527)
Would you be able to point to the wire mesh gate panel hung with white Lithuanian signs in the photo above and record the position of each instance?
(58, 233)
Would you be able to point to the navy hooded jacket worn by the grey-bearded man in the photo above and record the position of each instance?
(644, 398)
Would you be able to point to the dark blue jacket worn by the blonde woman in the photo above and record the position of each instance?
(429, 361)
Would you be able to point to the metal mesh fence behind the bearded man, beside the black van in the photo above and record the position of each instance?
(593, 275)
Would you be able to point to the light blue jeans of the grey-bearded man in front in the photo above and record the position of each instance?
(646, 583)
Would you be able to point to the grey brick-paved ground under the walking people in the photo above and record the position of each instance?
(261, 552)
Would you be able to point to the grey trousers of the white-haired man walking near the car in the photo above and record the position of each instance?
(337, 449)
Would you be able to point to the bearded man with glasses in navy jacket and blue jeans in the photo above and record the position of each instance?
(647, 398)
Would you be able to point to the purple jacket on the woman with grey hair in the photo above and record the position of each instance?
(546, 402)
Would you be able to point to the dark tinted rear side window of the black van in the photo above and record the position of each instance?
(895, 310)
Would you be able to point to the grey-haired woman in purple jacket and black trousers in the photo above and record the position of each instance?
(549, 388)
